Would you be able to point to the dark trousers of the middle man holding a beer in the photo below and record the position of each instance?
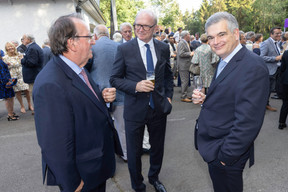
(134, 138)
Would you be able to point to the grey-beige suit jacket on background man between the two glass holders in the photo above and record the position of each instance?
(183, 55)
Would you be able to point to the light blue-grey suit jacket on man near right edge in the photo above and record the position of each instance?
(269, 53)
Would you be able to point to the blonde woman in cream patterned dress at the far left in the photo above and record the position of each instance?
(13, 60)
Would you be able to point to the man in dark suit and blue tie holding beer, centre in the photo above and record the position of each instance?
(144, 103)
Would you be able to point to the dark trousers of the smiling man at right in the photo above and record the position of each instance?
(228, 178)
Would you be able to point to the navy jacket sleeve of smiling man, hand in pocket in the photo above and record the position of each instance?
(250, 101)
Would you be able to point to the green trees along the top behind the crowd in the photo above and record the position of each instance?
(252, 15)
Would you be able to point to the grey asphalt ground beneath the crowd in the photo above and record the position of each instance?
(183, 169)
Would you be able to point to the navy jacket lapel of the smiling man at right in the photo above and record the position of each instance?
(233, 64)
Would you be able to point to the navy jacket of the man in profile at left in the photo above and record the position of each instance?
(74, 129)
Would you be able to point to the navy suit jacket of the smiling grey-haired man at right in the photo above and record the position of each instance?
(233, 111)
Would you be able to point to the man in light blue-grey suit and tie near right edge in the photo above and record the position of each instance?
(270, 52)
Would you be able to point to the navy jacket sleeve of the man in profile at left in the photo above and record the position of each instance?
(55, 134)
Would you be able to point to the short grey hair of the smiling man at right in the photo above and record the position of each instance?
(219, 16)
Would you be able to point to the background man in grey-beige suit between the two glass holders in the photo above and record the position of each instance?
(184, 56)
